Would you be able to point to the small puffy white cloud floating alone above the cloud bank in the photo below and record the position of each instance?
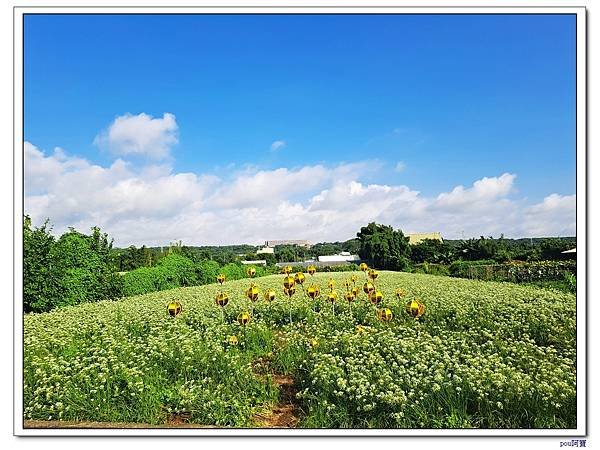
(140, 135)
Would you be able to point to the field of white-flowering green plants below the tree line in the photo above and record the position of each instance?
(484, 355)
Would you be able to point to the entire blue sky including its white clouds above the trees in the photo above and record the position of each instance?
(239, 129)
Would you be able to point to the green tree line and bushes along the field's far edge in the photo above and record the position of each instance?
(77, 268)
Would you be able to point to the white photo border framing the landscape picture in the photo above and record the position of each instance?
(581, 218)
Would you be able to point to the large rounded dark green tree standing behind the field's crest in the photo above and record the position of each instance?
(385, 247)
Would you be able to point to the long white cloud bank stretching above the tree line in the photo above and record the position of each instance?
(154, 205)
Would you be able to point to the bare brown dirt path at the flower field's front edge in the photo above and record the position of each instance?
(286, 413)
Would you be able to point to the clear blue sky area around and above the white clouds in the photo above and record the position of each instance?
(453, 99)
